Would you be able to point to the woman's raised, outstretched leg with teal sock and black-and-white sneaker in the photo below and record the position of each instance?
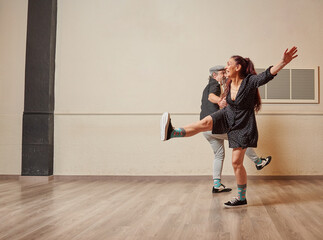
(168, 131)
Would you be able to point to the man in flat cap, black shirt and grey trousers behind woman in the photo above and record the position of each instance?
(210, 103)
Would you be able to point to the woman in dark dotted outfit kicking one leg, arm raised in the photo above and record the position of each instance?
(238, 118)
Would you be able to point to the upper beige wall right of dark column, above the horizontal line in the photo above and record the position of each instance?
(128, 56)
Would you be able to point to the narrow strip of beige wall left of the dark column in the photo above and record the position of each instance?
(13, 23)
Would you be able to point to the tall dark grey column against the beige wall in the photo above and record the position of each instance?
(38, 118)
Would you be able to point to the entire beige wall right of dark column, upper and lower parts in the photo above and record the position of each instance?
(120, 64)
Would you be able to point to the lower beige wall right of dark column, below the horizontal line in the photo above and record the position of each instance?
(130, 145)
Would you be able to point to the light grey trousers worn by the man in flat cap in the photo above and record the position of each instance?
(217, 143)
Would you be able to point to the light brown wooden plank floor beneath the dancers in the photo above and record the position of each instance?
(159, 209)
